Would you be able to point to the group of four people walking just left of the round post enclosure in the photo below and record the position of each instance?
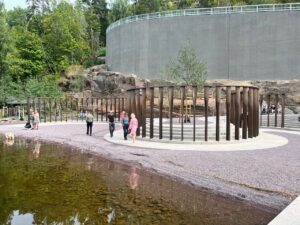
(130, 126)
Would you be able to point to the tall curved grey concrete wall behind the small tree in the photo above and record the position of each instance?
(240, 46)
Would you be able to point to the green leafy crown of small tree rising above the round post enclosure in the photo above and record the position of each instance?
(186, 68)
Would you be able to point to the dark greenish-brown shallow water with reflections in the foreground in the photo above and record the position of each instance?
(51, 184)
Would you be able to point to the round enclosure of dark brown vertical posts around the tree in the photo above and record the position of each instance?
(240, 109)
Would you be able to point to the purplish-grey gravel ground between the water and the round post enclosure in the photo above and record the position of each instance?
(268, 178)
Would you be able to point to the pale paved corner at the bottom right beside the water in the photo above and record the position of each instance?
(290, 215)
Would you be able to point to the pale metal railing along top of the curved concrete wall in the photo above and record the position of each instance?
(209, 11)
